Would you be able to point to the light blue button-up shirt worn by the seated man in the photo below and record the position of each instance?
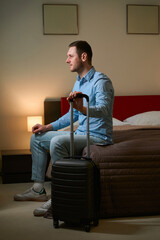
(101, 96)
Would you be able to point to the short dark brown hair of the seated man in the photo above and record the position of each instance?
(83, 46)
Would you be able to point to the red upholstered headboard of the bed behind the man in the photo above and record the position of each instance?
(126, 106)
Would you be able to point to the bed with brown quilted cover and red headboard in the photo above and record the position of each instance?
(130, 168)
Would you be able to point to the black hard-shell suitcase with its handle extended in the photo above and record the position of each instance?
(75, 186)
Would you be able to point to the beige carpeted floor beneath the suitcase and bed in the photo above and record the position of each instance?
(17, 222)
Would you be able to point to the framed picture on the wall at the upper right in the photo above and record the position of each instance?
(142, 19)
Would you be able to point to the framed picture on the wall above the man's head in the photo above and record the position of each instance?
(60, 19)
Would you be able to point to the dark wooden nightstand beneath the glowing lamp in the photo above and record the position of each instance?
(16, 166)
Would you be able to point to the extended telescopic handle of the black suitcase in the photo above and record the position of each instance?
(79, 95)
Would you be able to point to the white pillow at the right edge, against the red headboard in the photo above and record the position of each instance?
(146, 118)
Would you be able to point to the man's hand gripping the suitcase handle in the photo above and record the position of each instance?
(77, 102)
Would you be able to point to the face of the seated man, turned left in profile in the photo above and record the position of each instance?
(74, 61)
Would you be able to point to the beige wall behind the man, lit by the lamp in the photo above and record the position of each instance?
(32, 65)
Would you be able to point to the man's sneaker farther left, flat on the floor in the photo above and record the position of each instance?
(32, 195)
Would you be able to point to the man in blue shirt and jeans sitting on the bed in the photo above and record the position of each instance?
(46, 137)
